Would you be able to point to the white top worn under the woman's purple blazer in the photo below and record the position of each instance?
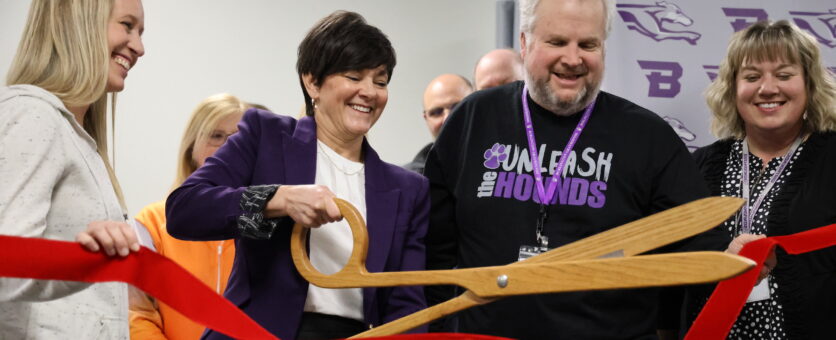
(331, 244)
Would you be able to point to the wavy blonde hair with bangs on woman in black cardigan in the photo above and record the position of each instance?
(771, 41)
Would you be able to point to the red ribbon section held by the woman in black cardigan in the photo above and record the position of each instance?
(721, 310)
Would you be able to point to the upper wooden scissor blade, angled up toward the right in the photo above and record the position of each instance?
(648, 233)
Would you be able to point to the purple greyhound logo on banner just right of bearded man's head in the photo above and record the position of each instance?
(650, 21)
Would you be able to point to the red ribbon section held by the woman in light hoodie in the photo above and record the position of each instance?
(67, 261)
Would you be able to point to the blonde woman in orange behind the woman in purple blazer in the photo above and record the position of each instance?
(212, 122)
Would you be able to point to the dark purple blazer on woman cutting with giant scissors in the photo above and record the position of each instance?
(274, 149)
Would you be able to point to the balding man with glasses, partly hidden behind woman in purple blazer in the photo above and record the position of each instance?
(441, 95)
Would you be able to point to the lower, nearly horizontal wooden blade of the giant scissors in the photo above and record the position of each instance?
(614, 273)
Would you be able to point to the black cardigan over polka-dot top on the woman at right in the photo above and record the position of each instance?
(806, 282)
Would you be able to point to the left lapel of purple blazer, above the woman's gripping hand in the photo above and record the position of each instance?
(300, 153)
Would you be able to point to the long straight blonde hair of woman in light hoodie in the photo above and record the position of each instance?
(64, 50)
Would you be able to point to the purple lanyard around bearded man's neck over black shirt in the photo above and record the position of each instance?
(546, 196)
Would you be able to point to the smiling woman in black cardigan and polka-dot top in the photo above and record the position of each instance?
(773, 110)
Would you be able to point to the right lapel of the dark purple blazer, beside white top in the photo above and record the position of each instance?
(381, 209)
